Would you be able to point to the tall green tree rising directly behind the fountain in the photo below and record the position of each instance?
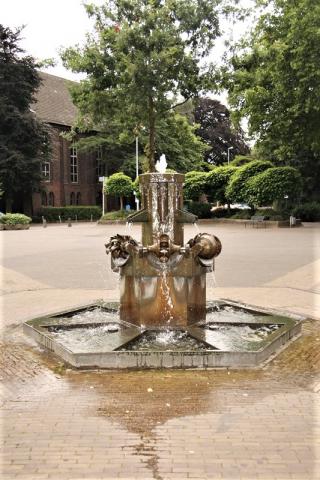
(144, 58)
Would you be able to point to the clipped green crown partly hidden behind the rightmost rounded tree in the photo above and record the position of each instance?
(236, 190)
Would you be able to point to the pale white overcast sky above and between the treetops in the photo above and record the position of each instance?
(52, 24)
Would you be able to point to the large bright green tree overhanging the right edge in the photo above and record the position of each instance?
(273, 79)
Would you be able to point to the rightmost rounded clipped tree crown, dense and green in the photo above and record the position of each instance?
(274, 184)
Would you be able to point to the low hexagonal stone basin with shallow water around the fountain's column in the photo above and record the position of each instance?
(233, 335)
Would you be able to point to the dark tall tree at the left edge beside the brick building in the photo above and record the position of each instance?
(23, 140)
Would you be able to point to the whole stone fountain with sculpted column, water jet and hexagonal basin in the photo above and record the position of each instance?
(163, 319)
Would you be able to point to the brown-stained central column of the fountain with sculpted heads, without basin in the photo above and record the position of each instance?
(162, 269)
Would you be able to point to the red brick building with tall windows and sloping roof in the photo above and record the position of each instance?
(70, 177)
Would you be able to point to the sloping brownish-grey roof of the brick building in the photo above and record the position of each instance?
(54, 104)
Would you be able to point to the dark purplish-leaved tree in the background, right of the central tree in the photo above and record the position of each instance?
(216, 129)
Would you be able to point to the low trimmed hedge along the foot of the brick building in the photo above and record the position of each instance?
(51, 214)
